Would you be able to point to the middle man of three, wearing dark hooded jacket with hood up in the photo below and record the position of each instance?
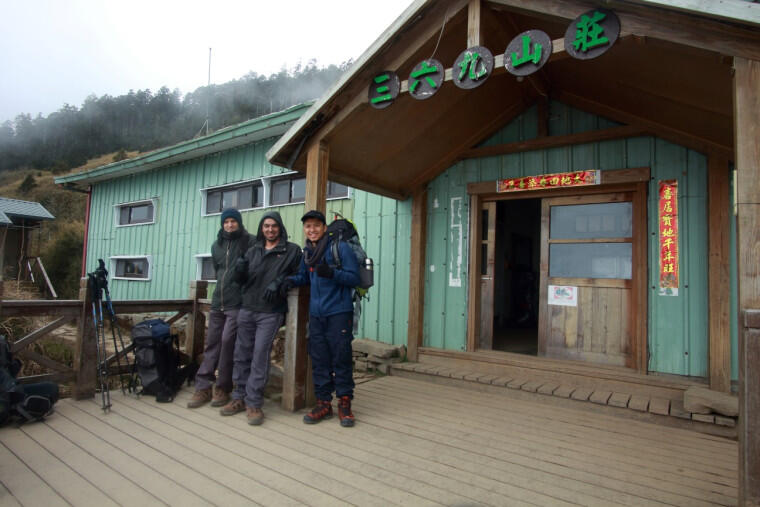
(261, 272)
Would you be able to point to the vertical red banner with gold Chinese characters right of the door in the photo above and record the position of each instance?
(668, 225)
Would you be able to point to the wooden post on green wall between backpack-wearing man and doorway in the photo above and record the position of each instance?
(417, 274)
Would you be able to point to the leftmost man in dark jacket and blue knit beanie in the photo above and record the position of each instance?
(232, 241)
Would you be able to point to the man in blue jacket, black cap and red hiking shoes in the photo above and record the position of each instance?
(330, 318)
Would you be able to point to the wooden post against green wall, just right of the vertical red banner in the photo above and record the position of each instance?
(718, 269)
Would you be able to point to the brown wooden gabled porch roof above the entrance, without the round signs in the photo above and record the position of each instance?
(670, 74)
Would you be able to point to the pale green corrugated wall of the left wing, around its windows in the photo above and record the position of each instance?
(180, 232)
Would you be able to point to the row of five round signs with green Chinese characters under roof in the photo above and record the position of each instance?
(589, 36)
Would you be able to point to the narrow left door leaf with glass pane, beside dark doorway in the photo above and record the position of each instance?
(487, 252)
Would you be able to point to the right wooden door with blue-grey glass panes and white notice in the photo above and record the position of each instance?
(586, 288)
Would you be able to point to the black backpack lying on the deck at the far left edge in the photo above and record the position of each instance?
(22, 403)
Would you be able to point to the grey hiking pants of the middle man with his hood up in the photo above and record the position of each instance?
(256, 332)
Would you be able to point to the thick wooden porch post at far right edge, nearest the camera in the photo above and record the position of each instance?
(746, 114)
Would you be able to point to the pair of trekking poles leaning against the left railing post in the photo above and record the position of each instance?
(98, 283)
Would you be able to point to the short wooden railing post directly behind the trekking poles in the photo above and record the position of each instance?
(85, 353)
